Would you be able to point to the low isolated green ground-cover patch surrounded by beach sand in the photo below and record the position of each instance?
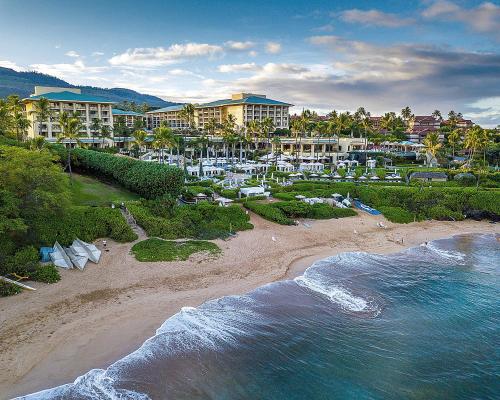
(166, 250)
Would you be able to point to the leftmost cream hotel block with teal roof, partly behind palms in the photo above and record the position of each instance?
(69, 100)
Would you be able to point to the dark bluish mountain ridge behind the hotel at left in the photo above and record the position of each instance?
(23, 84)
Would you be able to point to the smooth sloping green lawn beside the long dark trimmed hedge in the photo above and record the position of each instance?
(88, 191)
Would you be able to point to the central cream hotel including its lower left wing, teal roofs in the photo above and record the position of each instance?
(244, 107)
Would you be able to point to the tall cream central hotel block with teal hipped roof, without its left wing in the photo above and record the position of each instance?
(245, 107)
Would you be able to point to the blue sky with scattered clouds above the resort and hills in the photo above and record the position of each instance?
(322, 55)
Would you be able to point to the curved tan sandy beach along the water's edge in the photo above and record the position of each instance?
(92, 318)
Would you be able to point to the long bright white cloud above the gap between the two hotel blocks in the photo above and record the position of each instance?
(158, 56)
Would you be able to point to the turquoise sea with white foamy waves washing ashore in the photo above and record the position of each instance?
(420, 324)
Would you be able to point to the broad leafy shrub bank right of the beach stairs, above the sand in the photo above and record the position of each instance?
(199, 221)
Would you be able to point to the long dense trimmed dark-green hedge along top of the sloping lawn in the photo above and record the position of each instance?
(150, 180)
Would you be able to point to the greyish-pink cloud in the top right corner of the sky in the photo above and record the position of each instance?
(485, 18)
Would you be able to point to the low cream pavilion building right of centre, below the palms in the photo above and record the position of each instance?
(322, 149)
